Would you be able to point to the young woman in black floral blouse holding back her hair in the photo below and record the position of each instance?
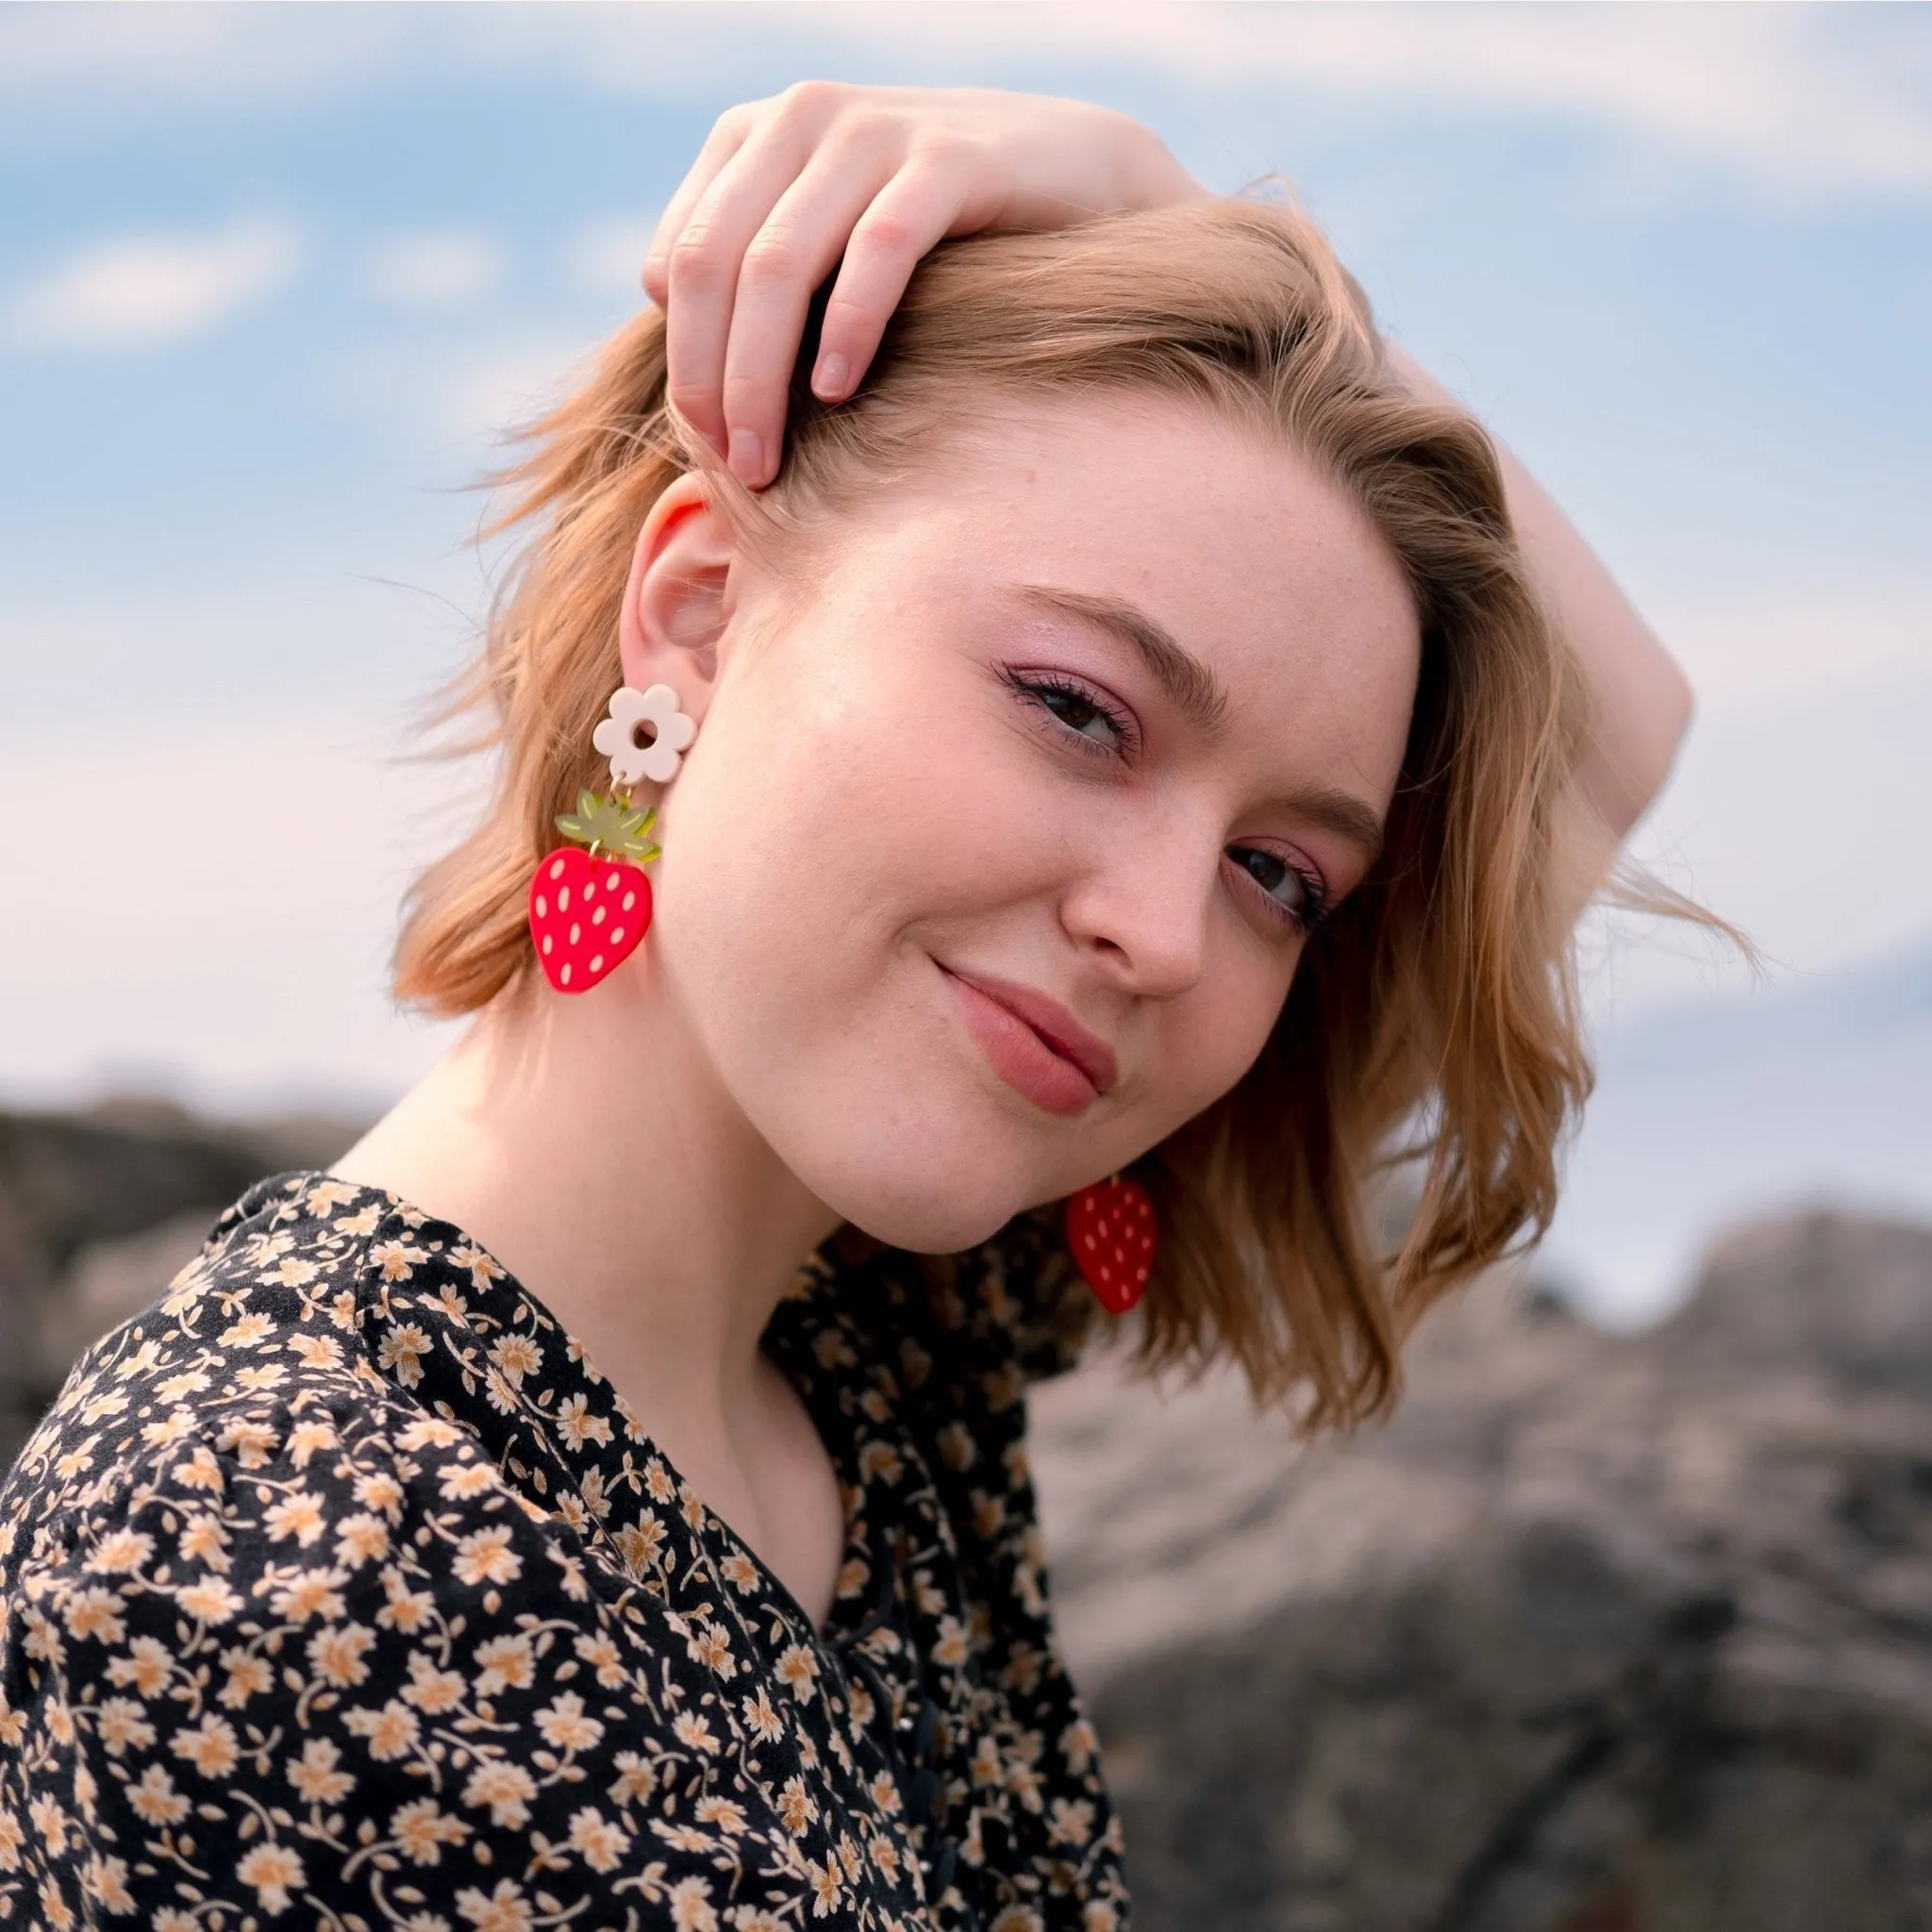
(1137, 729)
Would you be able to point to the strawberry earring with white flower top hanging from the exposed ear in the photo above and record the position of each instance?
(588, 909)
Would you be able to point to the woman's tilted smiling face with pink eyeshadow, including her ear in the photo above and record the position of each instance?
(1011, 812)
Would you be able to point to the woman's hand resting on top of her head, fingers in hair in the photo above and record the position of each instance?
(785, 188)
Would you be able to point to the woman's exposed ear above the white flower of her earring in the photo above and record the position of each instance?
(677, 602)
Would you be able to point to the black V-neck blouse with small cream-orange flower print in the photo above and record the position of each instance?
(341, 1591)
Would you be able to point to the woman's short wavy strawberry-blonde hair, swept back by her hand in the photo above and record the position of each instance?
(1433, 1013)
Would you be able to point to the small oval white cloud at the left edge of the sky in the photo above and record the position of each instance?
(148, 291)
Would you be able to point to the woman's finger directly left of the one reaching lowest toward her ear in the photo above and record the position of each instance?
(706, 260)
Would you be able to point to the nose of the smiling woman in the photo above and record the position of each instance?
(1145, 907)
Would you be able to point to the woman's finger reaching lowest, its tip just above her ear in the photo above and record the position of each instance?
(797, 248)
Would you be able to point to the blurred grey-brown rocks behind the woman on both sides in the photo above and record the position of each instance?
(1599, 1635)
